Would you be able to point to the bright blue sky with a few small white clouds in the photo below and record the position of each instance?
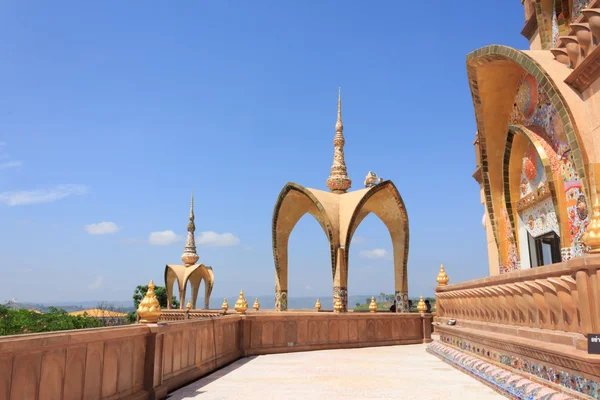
(114, 112)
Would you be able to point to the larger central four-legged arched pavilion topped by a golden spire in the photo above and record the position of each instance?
(339, 213)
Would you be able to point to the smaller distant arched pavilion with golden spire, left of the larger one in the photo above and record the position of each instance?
(189, 271)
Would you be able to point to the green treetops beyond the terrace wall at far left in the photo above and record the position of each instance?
(19, 321)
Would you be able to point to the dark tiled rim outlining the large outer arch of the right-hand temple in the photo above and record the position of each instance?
(494, 53)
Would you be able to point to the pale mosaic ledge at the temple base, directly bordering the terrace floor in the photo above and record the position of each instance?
(509, 384)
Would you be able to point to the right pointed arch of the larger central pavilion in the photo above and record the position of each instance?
(384, 200)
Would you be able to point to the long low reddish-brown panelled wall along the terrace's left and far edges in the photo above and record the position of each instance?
(147, 361)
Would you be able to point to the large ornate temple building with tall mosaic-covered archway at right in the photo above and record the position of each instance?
(538, 143)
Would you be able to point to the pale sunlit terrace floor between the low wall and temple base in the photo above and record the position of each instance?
(396, 372)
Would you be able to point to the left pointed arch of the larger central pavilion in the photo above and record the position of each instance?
(293, 202)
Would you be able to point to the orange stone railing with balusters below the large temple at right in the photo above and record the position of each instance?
(561, 297)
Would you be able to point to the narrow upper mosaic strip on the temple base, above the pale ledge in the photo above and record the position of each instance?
(551, 374)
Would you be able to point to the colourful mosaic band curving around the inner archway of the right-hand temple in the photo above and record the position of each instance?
(543, 120)
